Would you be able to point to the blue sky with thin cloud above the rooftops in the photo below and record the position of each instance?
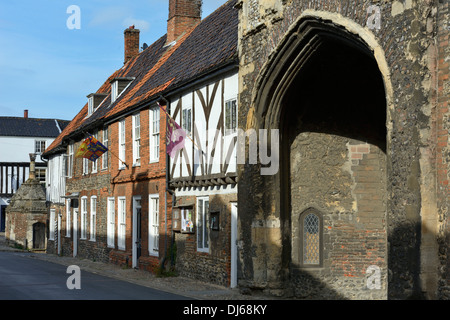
(49, 69)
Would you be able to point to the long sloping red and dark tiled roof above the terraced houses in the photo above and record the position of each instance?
(159, 69)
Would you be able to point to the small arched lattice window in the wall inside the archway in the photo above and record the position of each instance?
(311, 239)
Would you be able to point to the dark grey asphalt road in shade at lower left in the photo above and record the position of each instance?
(25, 278)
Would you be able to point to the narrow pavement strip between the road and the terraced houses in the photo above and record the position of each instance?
(174, 284)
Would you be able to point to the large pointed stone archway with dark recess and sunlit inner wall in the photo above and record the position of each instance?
(324, 91)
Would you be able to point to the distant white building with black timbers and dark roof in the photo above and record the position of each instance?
(20, 136)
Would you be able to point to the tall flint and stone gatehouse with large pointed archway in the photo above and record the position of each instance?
(359, 93)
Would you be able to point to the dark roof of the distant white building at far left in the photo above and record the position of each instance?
(31, 127)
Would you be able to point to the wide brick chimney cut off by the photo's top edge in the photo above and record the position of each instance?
(183, 15)
